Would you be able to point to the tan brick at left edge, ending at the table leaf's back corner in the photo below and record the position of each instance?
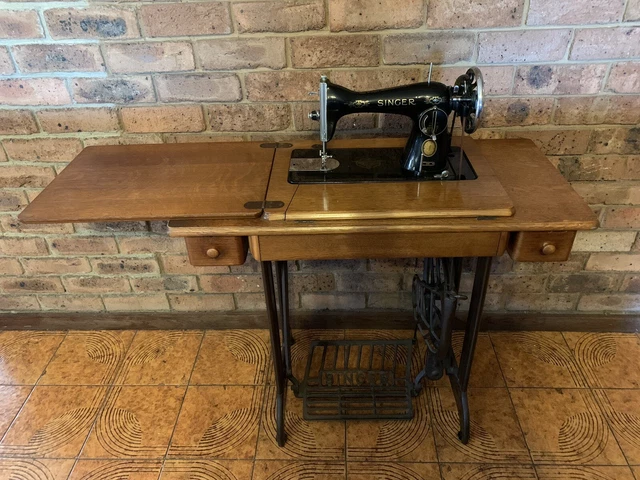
(43, 149)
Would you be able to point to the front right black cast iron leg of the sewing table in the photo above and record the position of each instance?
(460, 382)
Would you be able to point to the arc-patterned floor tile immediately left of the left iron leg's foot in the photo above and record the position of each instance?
(218, 421)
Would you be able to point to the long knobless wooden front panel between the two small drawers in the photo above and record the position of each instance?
(378, 245)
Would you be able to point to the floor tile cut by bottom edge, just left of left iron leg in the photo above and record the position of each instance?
(206, 470)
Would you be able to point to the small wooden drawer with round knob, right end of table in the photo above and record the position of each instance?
(541, 246)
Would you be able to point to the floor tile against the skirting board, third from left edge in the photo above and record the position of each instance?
(160, 358)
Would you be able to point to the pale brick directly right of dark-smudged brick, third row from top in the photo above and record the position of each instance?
(149, 57)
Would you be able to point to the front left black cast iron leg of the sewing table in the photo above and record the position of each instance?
(276, 349)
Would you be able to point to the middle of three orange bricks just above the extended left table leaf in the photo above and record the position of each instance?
(163, 119)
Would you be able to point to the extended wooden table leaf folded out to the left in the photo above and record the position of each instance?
(156, 182)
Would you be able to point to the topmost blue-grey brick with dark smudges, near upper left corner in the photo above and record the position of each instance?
(92, 22)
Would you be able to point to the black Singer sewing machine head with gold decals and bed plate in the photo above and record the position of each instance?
(427, 153)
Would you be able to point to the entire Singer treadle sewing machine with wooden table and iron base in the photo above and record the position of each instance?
(430, 197)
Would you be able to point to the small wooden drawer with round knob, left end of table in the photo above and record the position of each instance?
(212, 251)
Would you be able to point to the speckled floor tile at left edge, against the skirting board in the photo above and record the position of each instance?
(24, 355)
